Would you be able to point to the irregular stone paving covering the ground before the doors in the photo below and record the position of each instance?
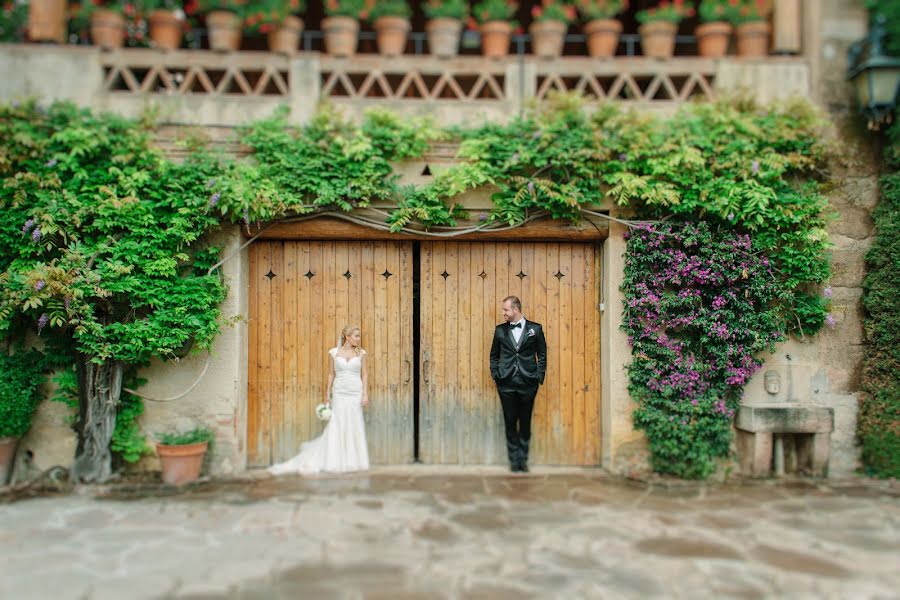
(476, 533)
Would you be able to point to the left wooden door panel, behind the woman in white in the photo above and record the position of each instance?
(302, 294)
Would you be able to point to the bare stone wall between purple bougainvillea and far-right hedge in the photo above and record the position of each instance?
(825, 370)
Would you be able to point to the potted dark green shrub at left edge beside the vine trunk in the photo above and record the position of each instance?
(21, 376)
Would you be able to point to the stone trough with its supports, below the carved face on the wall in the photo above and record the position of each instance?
(758, 424)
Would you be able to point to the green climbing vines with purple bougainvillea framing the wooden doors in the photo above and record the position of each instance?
(118, 221)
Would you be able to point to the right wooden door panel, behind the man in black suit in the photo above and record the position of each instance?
(462, 287)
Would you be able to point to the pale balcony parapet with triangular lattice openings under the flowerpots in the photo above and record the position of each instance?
(211, 88)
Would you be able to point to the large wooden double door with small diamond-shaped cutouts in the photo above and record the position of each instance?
(427, 312)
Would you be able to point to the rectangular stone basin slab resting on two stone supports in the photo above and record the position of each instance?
(787, 417)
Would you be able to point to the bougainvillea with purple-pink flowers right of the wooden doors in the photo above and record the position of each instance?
(700, 309)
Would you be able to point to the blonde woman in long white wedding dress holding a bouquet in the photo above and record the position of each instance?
(342, 446)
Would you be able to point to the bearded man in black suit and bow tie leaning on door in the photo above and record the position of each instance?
(518, 364)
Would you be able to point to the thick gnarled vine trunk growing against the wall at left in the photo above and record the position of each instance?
(99, 390)
